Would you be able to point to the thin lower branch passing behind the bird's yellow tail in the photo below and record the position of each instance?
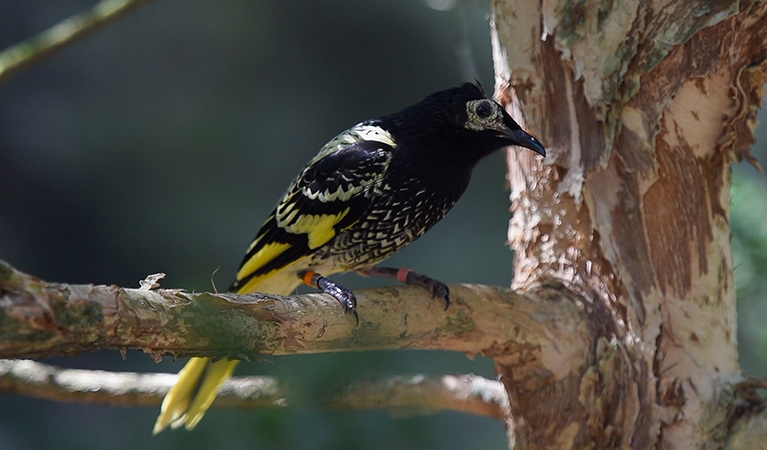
(464, 393)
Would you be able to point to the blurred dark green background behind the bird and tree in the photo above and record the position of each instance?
(161, 143)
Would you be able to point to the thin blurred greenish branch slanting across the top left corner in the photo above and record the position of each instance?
(62, 34)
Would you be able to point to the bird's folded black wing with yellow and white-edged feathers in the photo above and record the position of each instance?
(329, 195)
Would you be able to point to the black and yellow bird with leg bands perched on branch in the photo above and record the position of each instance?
(370, 191)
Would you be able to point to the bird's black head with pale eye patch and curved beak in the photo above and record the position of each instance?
(464, 122)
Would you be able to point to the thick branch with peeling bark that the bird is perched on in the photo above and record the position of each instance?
(40, 319)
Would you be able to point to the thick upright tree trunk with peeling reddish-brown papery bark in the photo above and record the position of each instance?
(643, 107)
